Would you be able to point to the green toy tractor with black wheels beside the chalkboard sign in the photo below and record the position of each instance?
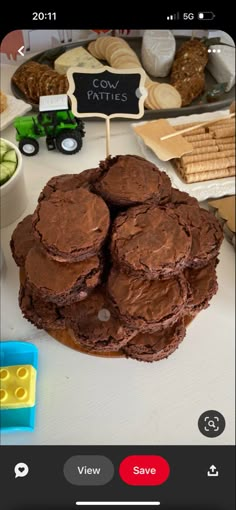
(56, 122)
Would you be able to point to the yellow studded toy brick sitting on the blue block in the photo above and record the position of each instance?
(17, 386)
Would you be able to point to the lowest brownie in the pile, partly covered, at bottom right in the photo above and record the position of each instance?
(156, 346)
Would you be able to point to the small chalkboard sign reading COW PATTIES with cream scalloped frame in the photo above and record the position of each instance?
(107, 92)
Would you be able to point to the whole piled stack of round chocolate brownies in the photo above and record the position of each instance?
(118, 258)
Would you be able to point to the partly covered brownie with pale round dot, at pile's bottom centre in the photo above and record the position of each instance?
(94, 324)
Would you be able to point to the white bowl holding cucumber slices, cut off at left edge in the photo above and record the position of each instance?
(13, 192)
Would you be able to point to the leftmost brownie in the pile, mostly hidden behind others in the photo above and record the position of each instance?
(22, 240)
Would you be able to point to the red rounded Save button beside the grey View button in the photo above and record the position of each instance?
(144, 470)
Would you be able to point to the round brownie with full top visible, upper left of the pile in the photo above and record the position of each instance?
(71, 225)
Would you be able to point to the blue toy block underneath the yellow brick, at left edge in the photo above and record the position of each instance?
(18, 353)
